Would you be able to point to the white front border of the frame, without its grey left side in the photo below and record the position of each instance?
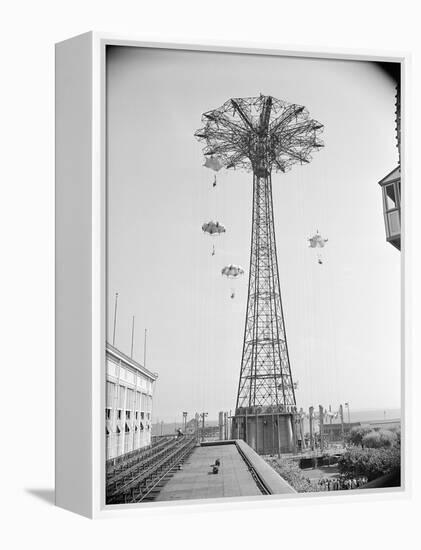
(99, 42)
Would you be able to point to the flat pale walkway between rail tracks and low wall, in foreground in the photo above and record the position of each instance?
(196, 480)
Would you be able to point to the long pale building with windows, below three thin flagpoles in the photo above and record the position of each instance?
(128, 412)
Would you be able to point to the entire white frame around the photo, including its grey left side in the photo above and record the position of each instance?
(81, 255)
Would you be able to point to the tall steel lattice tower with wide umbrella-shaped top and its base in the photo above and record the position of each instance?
(262, 134)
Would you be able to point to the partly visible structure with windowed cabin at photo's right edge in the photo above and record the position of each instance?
(391, 183)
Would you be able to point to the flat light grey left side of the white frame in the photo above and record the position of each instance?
(73, 275)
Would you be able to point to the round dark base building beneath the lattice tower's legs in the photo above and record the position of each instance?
(268, 430)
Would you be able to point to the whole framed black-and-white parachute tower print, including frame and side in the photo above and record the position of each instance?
(230, 234)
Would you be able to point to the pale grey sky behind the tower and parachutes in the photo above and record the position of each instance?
(342, 318)
